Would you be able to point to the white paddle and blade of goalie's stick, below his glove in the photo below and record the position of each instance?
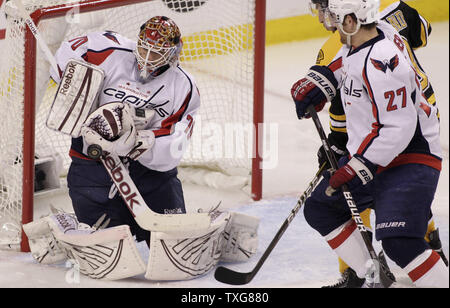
(144, 216)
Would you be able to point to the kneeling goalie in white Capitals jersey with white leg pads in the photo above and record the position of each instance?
(130, 109)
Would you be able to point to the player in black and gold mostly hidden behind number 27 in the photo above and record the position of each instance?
(414, 30)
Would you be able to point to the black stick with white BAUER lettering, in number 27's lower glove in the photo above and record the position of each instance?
(374, 273)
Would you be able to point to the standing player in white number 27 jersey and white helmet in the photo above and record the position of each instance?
(393, 143)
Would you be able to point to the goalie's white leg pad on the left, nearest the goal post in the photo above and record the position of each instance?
(108, 254)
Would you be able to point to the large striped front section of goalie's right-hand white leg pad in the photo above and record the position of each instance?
(185, 255)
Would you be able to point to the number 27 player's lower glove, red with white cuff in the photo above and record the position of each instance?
(358, 171)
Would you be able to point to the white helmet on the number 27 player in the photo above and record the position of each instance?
(366, 11)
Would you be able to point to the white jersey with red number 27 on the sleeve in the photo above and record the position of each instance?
(389, 121)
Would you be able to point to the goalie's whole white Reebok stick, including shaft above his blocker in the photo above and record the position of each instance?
(144, 216)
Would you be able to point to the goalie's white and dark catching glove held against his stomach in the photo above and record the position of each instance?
(113, 128)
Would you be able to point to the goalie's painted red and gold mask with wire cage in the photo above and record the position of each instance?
(159, 45)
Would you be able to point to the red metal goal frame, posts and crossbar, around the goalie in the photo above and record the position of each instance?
(30, 97)
